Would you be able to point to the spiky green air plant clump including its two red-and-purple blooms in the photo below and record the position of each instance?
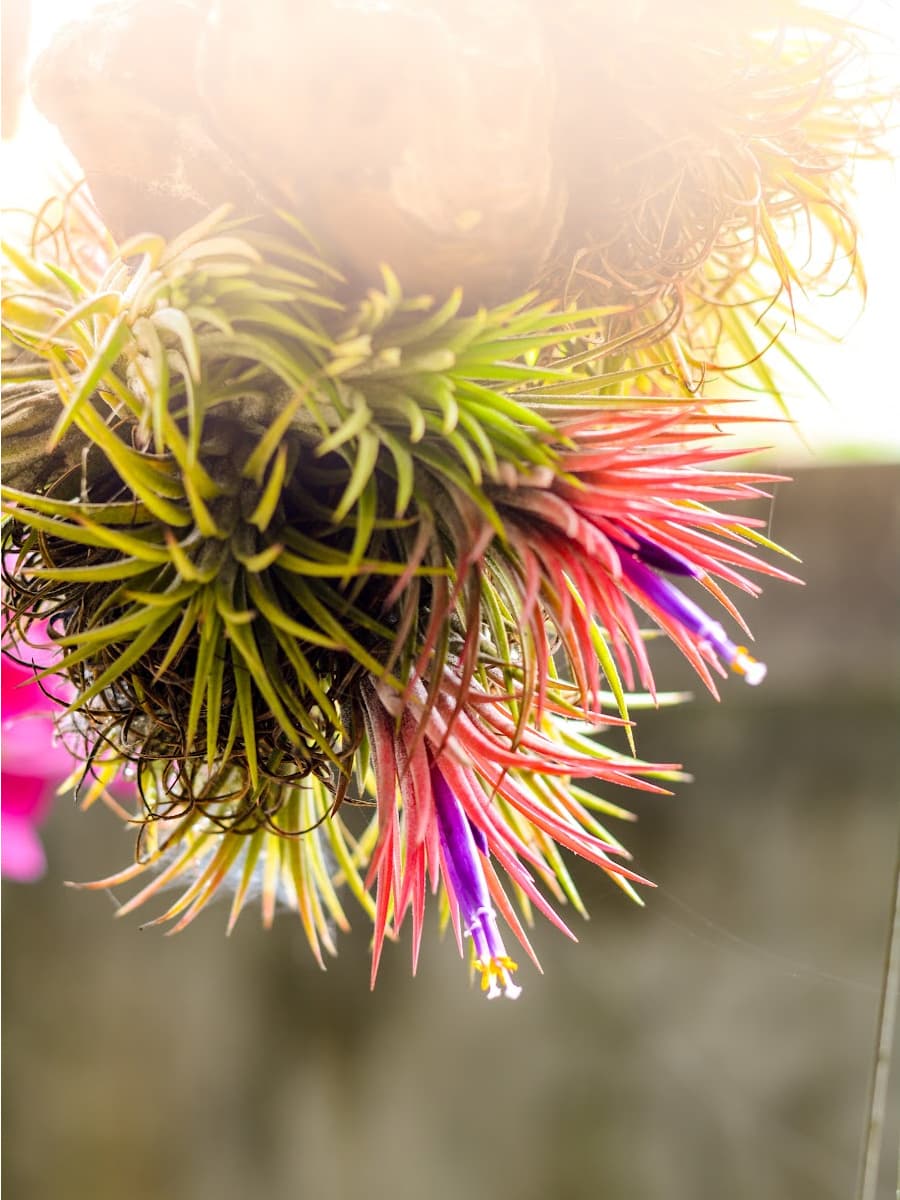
(301, 555)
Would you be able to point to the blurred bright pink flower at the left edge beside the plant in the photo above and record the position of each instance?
(34, 764)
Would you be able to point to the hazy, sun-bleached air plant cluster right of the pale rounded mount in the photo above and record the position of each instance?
(721, 191)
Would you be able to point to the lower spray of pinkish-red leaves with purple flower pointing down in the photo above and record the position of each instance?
(464, 800)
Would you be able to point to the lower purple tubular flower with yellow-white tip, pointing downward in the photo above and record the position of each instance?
(466, 878)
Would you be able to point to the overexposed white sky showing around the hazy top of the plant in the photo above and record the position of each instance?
(862, 418)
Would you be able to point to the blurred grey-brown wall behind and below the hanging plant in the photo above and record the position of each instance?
(715, 1046)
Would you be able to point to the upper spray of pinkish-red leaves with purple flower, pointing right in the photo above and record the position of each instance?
(628, 519)
